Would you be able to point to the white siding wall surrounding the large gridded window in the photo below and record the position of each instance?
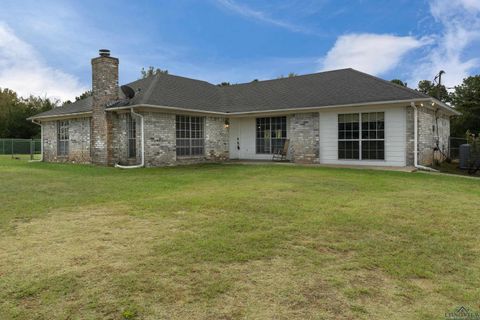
(395, 136)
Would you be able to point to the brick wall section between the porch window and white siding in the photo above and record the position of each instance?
(304, 135)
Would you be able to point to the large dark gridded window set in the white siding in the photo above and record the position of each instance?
(361, 136)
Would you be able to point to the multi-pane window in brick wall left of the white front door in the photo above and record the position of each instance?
(190, 136)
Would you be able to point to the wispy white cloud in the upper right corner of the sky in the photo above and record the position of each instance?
(460, 25)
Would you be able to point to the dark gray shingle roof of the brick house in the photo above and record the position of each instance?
(338, 87)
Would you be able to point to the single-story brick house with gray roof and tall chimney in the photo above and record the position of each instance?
(334, 117)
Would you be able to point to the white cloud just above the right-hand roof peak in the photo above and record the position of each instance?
(371, 53)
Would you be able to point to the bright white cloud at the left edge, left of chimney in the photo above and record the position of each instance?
(22, 70)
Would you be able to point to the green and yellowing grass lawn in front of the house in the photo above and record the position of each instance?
(234, 242)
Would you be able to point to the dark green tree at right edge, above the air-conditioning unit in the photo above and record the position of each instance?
(466, 99)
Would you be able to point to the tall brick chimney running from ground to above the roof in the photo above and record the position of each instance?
(104, 91)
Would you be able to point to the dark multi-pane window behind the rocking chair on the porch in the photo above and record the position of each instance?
(271, 134)
